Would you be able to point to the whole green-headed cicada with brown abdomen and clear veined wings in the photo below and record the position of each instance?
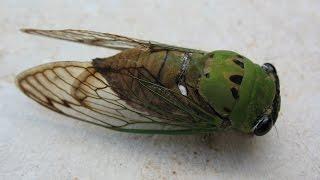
(156, 88)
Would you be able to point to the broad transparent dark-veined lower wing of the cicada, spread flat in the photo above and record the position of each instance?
(77, 90)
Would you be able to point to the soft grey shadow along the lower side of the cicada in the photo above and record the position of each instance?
(217, 152)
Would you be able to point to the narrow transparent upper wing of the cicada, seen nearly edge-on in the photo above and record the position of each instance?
(105, 40)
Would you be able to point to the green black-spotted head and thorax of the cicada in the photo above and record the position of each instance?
(242, 92)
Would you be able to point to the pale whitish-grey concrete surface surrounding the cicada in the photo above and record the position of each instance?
(36, 143)
